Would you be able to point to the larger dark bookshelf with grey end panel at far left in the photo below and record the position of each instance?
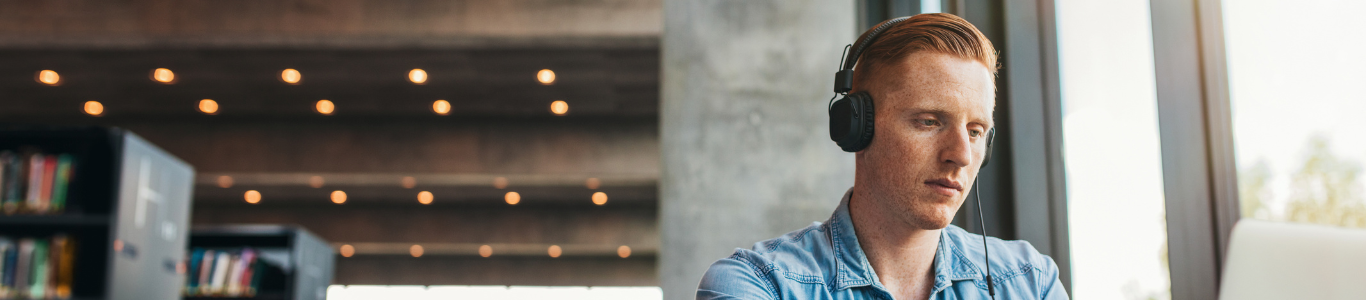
(121, 211)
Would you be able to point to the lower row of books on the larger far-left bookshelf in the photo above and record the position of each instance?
(36, 268)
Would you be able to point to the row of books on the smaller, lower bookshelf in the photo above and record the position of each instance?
(223, 273)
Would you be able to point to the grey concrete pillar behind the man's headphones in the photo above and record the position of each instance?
(744, 132)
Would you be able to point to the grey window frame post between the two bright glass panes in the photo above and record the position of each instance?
(1200, 174)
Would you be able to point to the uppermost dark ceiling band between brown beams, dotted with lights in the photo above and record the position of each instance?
(361, 82)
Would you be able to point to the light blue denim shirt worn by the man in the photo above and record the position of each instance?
(824, 261)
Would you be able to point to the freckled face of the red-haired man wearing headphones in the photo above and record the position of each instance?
(932, 115)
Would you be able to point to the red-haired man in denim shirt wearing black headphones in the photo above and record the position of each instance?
(932, 85)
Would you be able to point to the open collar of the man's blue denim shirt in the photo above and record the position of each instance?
(854, 271)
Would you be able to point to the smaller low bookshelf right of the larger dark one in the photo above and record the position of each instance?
(294, 264)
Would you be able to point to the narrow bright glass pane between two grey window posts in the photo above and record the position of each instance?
(1117, 209)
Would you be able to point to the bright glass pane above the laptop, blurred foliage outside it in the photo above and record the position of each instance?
(1296, 81)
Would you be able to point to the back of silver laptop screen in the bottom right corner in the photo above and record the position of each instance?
(1294, 261)
